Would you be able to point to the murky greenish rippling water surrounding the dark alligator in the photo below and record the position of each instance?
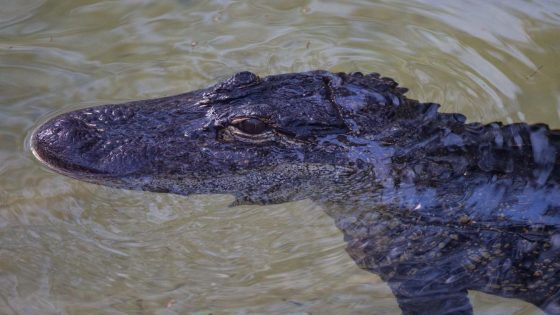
(68, 247)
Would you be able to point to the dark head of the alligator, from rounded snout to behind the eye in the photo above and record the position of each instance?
(264, 140)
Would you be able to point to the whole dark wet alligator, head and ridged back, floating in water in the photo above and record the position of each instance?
(431, 203)
